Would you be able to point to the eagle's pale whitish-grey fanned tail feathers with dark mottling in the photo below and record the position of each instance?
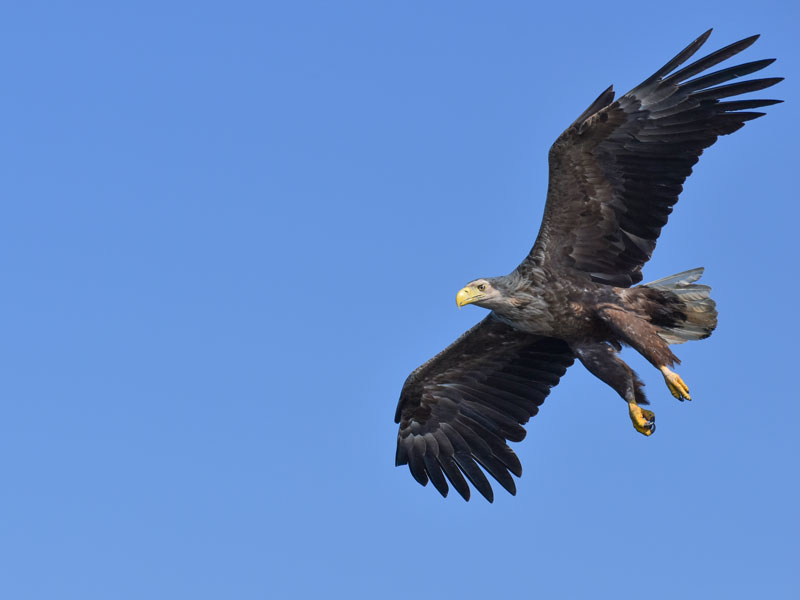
(694, 314)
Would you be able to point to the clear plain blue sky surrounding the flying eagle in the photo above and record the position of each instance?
(230, 230)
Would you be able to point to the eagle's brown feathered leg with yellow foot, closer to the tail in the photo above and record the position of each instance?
(642, 336)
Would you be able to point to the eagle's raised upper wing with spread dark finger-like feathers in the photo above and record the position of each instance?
(616, 172)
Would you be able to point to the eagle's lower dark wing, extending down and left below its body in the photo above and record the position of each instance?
(458, 409)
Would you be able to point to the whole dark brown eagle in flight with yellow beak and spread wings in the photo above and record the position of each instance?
(614, 176)
